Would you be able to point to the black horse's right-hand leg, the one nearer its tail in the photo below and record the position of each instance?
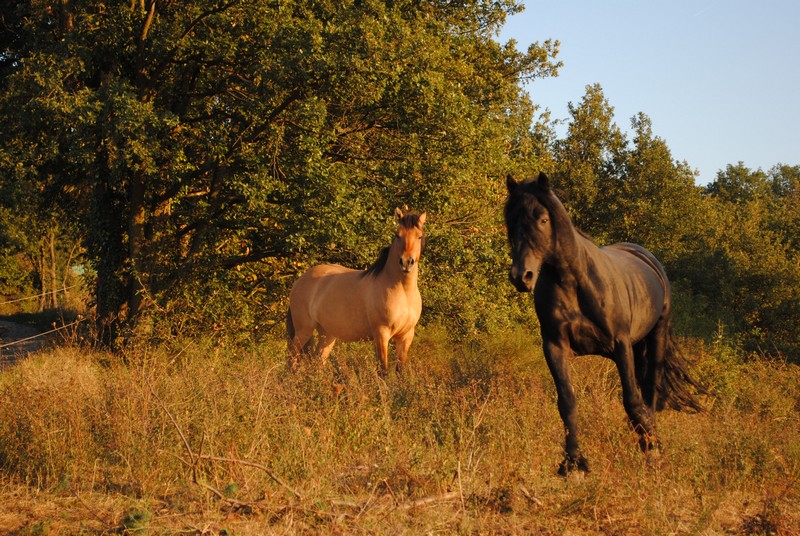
(638, 413)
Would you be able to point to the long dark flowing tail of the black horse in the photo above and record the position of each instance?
(677, 388)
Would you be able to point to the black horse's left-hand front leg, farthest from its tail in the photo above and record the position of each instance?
(556, 356)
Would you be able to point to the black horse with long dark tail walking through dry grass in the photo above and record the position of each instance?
(612, 301)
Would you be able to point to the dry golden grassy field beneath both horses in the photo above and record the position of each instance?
(196, 437)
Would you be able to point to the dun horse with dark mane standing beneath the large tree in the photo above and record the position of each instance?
(381, 303)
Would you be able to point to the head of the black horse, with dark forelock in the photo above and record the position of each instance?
(530, 229)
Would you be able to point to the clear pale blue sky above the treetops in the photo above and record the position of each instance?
(720, 79)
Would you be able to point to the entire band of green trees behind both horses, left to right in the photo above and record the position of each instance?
(204, 155)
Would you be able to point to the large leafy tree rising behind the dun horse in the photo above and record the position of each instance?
(211, 150)
